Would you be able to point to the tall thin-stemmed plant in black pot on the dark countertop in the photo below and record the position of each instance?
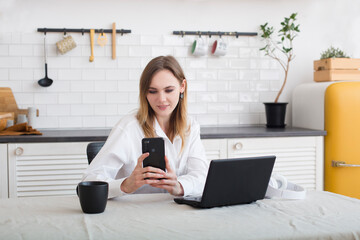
(275, 111)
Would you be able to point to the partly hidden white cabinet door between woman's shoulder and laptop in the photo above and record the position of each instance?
(215, 148)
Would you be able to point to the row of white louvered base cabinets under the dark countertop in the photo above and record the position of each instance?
(50, 169)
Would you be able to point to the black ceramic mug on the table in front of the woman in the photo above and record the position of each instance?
(93, 196)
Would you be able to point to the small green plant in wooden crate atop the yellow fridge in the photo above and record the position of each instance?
(336, 65)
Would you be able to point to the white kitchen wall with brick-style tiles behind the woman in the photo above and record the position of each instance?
(226, 90)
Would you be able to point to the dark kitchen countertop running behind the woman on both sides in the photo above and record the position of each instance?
(88, 134)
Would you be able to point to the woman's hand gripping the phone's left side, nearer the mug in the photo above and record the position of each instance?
(141, 176)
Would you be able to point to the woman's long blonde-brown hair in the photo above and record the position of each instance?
(146, 115)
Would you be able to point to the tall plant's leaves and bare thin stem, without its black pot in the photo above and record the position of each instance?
(287, 34)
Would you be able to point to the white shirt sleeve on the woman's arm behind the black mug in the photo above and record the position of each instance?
(107, 163)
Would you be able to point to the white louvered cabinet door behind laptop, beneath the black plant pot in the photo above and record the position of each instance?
(299, 159)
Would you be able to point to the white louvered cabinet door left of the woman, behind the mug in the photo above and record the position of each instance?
(45, 169)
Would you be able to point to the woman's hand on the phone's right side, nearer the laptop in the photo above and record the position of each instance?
(170, 182)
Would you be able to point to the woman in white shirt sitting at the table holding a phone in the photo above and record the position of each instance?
(162, 113)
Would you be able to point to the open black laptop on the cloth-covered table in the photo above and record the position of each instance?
(233, 181)
